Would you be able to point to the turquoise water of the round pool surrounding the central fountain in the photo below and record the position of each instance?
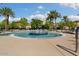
(27, 35)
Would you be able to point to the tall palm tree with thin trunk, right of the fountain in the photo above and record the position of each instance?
(53, 15)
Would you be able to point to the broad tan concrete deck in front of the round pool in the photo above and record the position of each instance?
(10, 46)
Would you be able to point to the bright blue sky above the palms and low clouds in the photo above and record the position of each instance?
(28, 9)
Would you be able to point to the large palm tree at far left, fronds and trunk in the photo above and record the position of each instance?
(6, 12)
